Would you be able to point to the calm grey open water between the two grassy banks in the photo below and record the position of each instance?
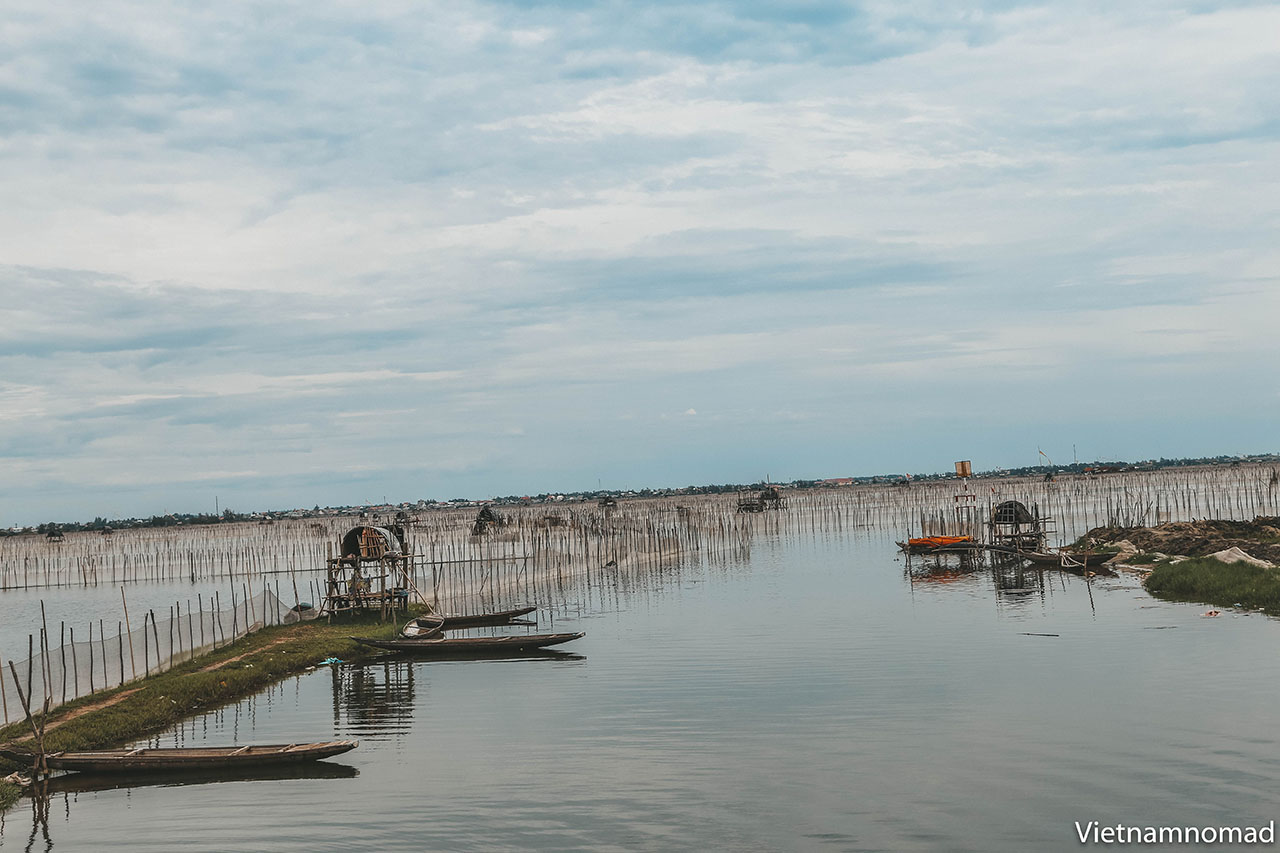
(810, 697)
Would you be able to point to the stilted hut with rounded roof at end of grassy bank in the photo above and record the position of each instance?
(372, 571)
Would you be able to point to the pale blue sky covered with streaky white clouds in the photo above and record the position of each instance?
(280, 256)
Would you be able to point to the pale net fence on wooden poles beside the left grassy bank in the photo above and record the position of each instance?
(111, 656)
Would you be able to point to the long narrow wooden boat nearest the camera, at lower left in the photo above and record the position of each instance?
(145, 759)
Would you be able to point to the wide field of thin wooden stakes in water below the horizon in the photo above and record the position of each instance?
(560, 537)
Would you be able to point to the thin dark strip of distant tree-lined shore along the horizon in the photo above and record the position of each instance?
(391, 510)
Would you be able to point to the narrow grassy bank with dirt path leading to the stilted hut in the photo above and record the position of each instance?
(141, 709)
